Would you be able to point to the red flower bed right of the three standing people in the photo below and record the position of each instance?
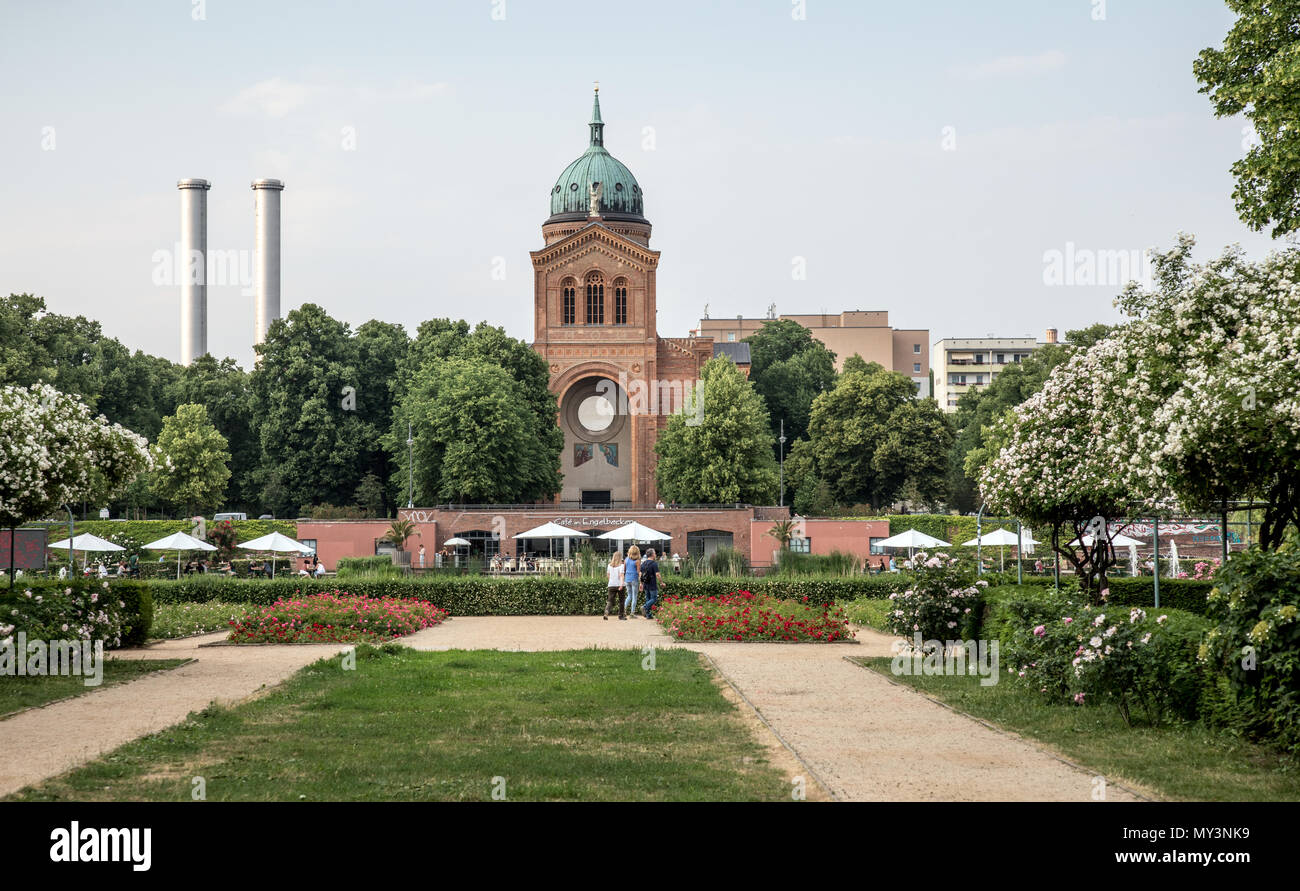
(744, 616)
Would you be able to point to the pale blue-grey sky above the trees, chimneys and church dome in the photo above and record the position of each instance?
(920, 158)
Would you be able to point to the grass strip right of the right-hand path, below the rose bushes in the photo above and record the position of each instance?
(1180, 762)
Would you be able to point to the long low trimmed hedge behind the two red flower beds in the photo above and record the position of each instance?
(528, 596)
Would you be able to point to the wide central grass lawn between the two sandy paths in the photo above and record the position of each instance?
(406, 725)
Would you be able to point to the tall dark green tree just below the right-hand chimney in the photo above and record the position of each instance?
(314, 443)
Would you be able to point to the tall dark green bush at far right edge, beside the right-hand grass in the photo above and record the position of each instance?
(1256, 641)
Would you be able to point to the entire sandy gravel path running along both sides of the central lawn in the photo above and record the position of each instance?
(861, 737)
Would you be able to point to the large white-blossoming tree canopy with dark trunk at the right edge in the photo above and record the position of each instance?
(1193, 403)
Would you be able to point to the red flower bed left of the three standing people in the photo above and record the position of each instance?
(337, 617)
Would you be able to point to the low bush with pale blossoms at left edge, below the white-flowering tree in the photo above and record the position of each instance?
(71, 612)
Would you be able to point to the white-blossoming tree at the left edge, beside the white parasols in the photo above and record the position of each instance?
(55, 453)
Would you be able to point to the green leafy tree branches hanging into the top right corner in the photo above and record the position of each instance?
(1258, 73)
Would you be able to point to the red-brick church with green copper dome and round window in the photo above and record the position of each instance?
(595, 323)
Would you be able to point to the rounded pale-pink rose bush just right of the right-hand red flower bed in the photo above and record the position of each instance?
(942, 604)
